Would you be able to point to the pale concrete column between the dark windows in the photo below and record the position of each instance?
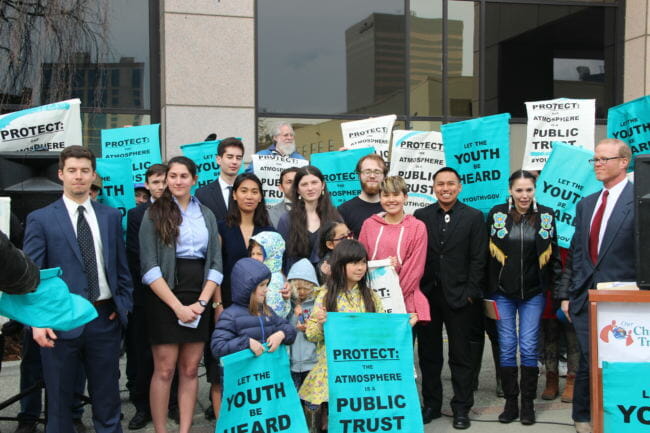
(207, 72)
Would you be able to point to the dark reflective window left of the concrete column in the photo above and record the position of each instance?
(103, 60)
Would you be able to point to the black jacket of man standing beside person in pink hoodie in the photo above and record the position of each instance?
(463, 256)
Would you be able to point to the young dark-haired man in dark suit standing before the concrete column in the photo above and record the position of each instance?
(216, 195)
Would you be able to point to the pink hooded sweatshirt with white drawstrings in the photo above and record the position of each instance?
(408, 242)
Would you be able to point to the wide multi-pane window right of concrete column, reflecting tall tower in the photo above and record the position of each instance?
(431, 61)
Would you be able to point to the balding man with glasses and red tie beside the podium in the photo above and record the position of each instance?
(602, 250)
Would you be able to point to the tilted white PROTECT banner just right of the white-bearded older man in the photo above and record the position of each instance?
(373, 132)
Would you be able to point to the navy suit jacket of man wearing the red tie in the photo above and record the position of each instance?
(616, 260)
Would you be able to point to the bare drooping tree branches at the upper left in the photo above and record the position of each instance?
(45, 43)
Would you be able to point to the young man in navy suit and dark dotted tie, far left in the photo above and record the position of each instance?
(84, 239)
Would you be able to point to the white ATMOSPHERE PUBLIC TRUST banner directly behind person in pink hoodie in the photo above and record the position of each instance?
(416, 156)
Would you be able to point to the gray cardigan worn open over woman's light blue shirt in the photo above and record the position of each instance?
(153, 252)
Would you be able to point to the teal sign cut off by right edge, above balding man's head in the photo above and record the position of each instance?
(630, 122)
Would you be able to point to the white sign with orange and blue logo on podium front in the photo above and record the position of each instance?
(623, 332)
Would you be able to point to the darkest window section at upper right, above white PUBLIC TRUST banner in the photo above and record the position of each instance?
(546, 51)
